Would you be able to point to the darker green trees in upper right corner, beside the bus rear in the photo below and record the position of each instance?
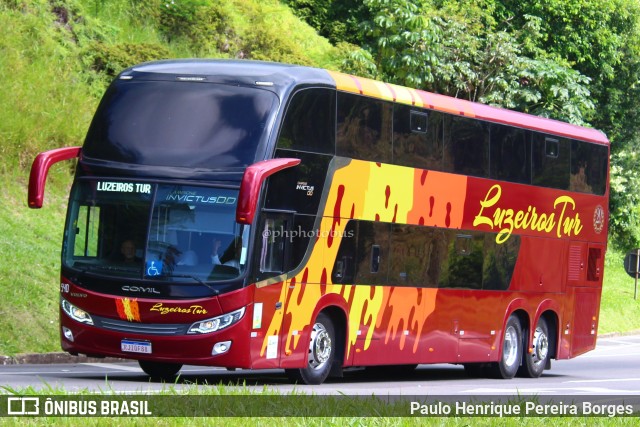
(600, 39)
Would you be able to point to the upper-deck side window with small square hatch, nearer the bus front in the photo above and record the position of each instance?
(417, 137)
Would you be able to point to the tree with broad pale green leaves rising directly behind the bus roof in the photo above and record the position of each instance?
(453, 48)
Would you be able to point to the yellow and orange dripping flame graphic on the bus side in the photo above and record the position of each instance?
(381, 192)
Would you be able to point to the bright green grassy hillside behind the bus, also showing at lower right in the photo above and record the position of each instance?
(56, 58)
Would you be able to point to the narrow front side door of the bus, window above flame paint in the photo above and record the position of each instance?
(271, 261)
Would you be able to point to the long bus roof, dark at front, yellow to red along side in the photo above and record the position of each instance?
(282, 77)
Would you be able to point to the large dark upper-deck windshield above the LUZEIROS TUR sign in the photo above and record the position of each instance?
(188, 125)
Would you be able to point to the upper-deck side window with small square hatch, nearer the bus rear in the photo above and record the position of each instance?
(551, 156)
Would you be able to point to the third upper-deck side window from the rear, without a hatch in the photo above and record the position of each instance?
(510, 154)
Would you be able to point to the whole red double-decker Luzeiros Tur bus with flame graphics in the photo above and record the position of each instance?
(259, 215)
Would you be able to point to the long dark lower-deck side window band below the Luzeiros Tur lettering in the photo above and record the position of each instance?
(427, 257)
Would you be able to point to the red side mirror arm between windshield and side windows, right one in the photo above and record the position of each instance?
(252, 181)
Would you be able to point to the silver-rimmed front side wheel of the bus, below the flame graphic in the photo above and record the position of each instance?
(322, 352)
